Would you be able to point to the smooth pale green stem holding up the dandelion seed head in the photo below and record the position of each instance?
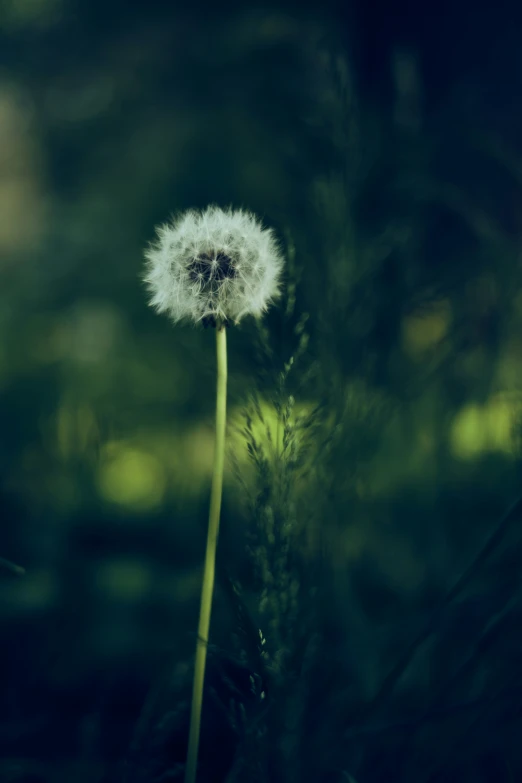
(210, 556)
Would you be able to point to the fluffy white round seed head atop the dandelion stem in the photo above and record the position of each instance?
(214, 265)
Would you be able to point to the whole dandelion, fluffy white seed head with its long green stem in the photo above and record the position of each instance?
(212, 267)
